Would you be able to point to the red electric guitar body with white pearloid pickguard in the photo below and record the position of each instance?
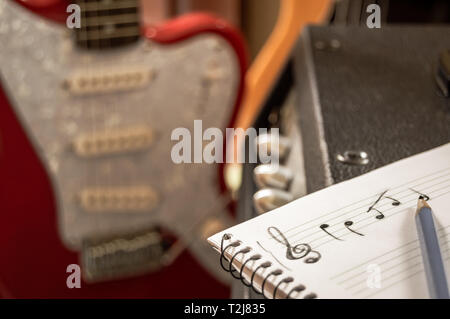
(85, 153)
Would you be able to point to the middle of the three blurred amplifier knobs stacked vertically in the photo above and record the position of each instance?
(275, 176)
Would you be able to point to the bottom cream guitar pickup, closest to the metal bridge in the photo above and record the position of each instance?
(118, 199)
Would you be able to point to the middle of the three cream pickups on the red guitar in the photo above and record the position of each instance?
(118, 141)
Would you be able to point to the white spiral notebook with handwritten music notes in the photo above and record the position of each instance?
(356, 239)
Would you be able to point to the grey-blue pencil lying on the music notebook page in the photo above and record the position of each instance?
(431, 253)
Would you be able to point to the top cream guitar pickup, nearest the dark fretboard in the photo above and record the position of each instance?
(107, 81)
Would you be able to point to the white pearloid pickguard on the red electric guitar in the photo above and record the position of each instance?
(195, 79)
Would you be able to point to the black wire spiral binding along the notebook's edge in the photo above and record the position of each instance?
(278, 272)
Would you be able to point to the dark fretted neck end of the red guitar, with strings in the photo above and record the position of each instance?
(108, 23)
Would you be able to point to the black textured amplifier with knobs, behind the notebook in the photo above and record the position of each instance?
(351, 100)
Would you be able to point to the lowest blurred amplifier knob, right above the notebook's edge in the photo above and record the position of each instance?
(268, 199)
